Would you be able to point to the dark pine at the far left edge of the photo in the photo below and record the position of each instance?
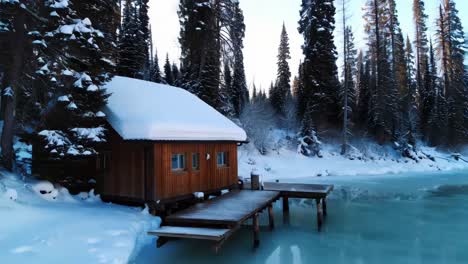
(16, 22)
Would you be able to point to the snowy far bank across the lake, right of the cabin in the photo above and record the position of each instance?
(282, 162)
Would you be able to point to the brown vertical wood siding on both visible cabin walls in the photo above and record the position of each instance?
(126, 178)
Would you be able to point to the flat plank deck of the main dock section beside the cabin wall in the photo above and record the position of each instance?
(231, 209)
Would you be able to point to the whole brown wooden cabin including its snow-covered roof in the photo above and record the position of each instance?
(164, 144)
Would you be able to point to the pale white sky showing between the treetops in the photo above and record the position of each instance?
(264, 19)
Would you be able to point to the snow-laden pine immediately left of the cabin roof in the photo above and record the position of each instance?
(76, 72)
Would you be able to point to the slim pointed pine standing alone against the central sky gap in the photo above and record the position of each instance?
(283, 86)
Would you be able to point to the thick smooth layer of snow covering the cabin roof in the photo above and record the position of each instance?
(141, 110)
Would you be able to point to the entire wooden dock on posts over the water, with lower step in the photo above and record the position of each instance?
(217, 219)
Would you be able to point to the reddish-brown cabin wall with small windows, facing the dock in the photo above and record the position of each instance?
(171, 184)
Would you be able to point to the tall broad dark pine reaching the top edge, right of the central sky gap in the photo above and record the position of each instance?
(320, 80)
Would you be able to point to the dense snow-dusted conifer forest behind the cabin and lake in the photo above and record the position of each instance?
(56, 56)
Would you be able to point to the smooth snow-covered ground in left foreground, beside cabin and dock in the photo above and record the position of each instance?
(42, 224)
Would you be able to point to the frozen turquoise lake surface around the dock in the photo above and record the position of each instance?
(417, 218)
